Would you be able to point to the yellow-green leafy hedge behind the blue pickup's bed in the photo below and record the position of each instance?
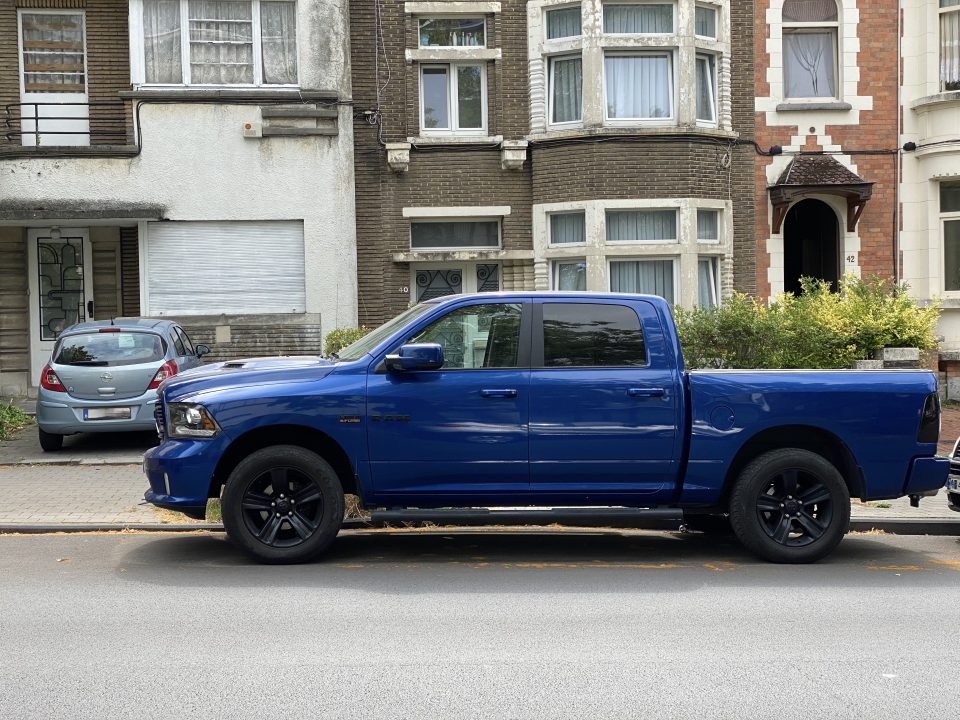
(817, 329)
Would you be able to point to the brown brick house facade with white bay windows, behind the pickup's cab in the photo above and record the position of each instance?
(552, 145)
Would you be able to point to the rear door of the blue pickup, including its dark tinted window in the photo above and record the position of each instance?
(603, 403)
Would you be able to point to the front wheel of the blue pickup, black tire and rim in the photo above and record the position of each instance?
(277, 480)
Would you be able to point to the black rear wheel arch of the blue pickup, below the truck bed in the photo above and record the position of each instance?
(804, 437)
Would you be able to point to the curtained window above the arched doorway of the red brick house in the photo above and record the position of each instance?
(810, 53)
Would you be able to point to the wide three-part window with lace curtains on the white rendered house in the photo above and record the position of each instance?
(219, 42)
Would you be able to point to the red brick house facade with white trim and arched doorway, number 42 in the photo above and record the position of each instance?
(827, 94)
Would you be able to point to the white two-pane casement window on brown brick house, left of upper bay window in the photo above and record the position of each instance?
(453, 98)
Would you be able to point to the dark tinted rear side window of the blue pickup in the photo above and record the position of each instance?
(585, 335)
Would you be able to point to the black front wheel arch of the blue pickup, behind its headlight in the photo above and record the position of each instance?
(303, 436)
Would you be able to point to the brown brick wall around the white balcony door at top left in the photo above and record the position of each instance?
(108, 60)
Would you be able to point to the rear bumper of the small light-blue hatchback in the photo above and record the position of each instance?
(60, 414)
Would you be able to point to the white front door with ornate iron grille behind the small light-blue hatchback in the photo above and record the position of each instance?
(60, 275)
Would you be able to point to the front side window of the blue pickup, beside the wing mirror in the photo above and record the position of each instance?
(479, 336)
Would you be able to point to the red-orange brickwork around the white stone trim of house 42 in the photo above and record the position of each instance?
(878, 59)
